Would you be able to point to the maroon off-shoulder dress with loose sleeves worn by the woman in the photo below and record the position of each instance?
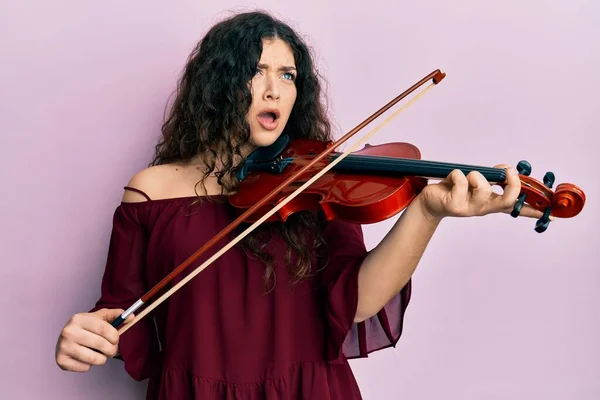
(221, 336)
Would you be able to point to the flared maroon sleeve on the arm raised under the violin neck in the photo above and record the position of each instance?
(345, 254)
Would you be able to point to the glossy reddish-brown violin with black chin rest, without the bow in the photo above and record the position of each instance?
(376, 183)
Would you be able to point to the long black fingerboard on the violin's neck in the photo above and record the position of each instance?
(413, 167)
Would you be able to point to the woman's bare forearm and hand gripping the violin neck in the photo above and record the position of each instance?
(390, 265)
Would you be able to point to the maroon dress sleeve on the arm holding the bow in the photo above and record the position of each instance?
(124, 283)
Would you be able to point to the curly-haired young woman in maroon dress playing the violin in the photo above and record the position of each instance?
(278, 316)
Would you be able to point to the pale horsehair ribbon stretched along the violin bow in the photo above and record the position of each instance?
(281, 204)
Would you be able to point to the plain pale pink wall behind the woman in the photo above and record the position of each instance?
(499, 311)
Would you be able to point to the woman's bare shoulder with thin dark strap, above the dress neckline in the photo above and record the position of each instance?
(157, 182)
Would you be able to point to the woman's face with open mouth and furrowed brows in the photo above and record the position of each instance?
(273, 91)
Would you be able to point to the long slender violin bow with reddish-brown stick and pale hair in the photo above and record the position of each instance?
(435, 76)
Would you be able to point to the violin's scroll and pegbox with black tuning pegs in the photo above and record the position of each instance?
(566, 202)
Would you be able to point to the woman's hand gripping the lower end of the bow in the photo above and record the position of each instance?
(84, 333)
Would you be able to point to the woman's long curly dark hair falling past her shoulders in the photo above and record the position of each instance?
(209, 112)
